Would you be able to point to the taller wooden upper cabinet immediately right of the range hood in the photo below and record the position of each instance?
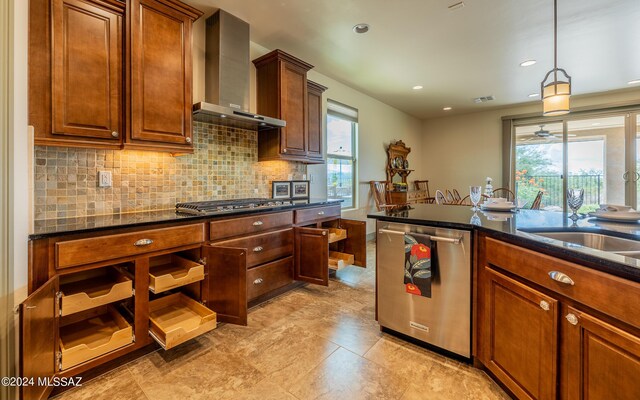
(282, 93)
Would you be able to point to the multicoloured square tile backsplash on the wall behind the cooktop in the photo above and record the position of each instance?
(224, 166)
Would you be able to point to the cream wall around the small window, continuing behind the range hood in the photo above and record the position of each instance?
(378, 124)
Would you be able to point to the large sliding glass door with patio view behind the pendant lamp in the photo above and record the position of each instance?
(596, 151)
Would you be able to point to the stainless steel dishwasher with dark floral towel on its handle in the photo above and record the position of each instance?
(444, 319)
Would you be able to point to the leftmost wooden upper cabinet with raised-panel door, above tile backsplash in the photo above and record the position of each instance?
(76, 72)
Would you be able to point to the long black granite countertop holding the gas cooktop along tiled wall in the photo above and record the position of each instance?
(56, 227)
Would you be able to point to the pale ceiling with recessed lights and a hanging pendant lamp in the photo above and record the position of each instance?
(455, 55)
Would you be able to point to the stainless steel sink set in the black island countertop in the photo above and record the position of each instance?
(596, 241)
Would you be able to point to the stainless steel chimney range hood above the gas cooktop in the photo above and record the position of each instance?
(227, 76)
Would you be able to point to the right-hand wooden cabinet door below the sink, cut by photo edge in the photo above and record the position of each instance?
(600, 360)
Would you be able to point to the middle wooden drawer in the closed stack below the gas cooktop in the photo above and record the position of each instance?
(264, 247)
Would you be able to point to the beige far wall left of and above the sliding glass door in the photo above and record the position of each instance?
(462, 150)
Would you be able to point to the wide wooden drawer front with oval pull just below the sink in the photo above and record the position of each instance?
(593, 288)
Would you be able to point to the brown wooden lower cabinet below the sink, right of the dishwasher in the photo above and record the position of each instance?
(541, 343)
